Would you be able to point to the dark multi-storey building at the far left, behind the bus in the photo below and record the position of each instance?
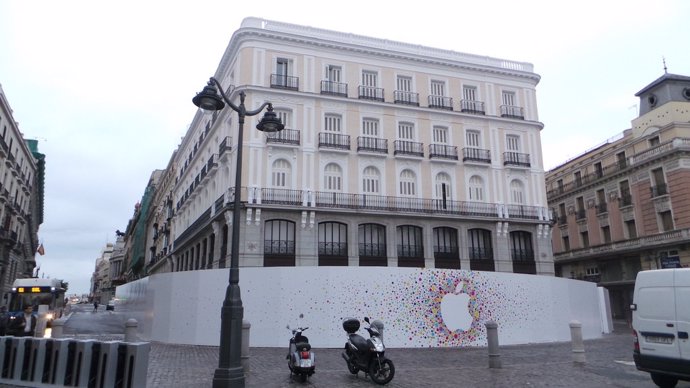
(22, 172)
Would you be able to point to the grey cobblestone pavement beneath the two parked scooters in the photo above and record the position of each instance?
(608, 364)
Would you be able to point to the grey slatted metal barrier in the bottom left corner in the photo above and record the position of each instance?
(68, 362)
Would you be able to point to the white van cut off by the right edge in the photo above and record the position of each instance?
(661, 323)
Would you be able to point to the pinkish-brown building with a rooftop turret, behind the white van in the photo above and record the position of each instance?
(623, 206)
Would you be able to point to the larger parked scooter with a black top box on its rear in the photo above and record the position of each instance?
(367, 354)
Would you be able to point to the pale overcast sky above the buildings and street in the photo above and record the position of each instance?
(106, 87)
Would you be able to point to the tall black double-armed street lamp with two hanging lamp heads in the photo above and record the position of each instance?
(230, 372)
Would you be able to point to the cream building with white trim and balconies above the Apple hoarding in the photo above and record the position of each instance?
(393, 154)
